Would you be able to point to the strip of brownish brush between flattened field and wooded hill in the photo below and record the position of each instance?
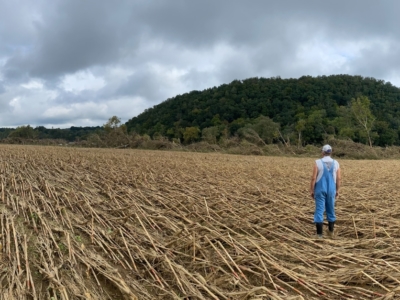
(117, 139)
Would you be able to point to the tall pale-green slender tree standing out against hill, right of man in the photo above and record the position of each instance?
(363, 115)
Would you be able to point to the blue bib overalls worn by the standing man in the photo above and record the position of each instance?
(324, 195)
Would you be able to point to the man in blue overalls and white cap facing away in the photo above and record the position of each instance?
(324, 189)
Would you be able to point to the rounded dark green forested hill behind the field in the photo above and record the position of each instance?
(304, 110)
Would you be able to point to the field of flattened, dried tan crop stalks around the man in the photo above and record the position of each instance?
(130, 224)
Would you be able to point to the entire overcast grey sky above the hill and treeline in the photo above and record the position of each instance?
(78, 62)
